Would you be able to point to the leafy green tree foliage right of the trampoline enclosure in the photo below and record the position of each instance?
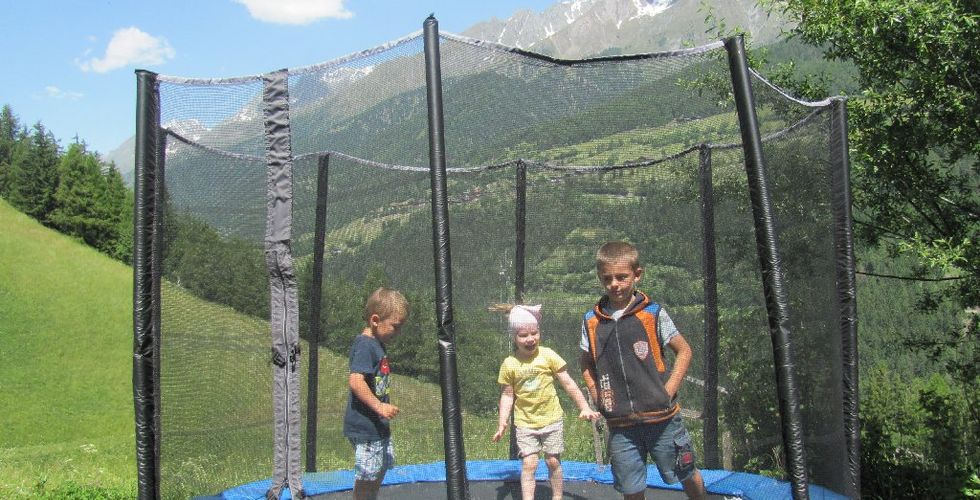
(915, 145)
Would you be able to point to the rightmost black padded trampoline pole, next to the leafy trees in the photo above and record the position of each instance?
(846, 288)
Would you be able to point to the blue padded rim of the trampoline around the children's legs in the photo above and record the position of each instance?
(718, 482)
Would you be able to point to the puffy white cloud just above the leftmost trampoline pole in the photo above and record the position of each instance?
(130, 46)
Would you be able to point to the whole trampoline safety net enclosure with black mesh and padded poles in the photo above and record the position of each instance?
(464, 173)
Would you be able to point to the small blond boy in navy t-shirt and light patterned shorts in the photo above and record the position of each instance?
(366, 422)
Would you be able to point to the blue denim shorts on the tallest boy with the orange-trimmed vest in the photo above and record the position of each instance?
(667, 442)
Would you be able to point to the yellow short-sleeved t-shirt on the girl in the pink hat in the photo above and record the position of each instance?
(535, 400)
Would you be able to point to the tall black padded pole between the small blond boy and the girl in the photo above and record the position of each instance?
(456, 486)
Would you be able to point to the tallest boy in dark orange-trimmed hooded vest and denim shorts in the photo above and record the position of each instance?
(624, 368)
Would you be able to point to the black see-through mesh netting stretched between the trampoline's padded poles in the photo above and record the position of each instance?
(602, 150)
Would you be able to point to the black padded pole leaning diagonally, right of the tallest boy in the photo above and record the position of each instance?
(773, 281)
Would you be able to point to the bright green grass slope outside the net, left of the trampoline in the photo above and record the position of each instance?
(65, 375)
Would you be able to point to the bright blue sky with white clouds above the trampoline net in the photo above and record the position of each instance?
(69, 63)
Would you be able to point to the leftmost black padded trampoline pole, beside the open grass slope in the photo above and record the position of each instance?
(146, 286)
